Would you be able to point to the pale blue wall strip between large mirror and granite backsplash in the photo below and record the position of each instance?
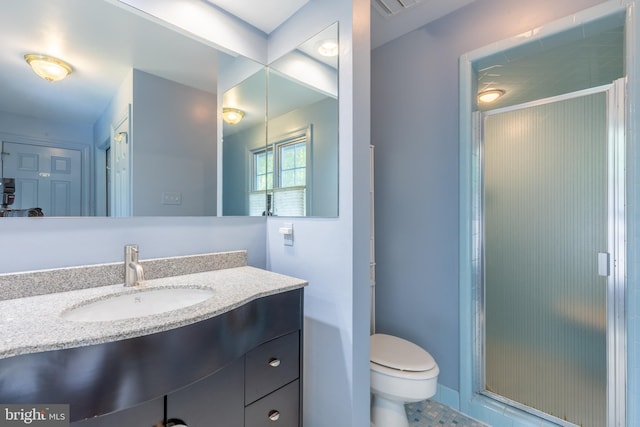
(41, 243)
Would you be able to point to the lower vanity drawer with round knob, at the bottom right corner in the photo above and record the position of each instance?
(278, 409)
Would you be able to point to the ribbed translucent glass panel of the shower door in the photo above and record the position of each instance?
(545, 206)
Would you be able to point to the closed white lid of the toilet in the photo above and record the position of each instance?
(397, 353)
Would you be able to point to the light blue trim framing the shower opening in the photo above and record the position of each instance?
(471, 381)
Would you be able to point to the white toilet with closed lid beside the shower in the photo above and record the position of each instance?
(401, 372)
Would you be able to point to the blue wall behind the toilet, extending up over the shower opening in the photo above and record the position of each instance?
(415, 131)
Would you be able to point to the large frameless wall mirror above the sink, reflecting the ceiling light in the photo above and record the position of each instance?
(132, 130)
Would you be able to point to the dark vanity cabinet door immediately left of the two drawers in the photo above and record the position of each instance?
(215, 401)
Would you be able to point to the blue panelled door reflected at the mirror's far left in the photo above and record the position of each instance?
(49, 178)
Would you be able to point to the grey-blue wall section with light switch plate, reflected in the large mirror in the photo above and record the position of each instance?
(174, 136)
